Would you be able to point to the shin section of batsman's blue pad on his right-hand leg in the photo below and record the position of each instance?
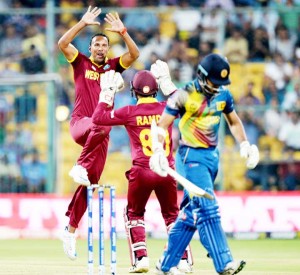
(214, 240)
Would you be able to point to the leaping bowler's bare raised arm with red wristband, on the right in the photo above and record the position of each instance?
(117, 26)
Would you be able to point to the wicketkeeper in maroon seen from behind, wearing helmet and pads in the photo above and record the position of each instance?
(142, 181)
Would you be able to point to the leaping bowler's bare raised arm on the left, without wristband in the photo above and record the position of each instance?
(64, 43)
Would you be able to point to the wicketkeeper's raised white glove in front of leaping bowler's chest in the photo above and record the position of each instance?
(110, 82)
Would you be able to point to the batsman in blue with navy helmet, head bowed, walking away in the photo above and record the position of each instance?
(200, 105)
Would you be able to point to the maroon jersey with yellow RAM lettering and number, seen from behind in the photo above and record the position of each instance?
(137, 121)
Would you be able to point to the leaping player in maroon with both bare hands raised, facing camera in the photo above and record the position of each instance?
(93, 138)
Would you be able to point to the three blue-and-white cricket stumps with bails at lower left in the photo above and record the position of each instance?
(113, 237)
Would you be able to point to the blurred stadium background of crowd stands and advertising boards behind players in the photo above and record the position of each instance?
(261, 40)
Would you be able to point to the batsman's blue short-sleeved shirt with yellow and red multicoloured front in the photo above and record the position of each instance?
(199, 115)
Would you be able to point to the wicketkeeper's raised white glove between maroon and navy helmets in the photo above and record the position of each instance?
(161, 72)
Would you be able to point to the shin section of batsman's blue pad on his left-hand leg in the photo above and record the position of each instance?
(179, 238)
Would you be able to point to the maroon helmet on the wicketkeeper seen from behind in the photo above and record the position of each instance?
(144, 83)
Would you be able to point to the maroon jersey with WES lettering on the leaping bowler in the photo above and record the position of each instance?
(87, 83)
